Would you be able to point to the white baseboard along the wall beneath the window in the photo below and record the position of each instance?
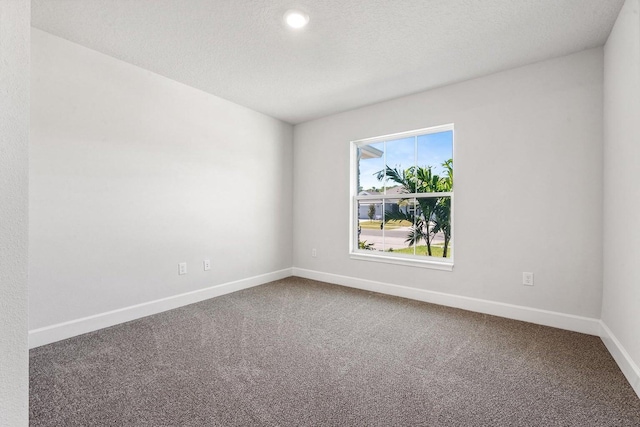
(585, 325)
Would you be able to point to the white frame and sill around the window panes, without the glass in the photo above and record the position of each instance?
(437, 263)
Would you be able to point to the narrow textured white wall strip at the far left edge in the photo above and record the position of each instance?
(14, 161)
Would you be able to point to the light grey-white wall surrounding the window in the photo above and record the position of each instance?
(528, 189)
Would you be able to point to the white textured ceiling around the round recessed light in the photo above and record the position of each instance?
(352, 53)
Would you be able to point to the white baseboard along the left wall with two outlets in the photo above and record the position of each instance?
(60, 331)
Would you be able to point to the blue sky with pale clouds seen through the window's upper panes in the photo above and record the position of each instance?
(432, 150)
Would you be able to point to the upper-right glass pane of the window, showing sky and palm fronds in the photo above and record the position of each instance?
(434, 172)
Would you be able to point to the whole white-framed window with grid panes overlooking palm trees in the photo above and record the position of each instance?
(402, 198)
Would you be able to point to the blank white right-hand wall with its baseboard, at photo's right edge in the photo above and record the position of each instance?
(621, 298)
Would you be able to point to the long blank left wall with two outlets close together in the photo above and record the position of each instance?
(132, 173)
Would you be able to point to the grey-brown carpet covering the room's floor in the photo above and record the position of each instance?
(298, 352)
